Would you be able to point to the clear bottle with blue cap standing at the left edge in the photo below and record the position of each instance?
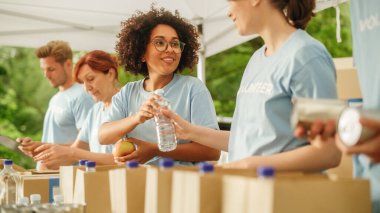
(12, 183)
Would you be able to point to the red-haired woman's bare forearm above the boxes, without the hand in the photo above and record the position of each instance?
(99, 158)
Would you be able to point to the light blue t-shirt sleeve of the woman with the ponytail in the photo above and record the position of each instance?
(315, 79)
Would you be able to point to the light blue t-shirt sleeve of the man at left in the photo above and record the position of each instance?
(81, 107)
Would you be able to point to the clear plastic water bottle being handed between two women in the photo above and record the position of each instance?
(167, 140)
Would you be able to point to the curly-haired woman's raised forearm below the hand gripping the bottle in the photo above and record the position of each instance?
(111, 132)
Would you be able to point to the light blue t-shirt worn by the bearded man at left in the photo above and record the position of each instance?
(65, 115)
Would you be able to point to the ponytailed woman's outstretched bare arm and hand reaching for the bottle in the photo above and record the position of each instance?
(216, 139)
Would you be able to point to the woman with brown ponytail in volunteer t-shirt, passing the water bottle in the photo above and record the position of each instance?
(291, 63)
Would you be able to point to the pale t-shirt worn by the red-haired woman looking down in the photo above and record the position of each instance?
(89, 132)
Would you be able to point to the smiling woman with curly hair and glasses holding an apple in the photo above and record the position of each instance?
(159, 45)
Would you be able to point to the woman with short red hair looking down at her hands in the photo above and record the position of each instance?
(97, 70)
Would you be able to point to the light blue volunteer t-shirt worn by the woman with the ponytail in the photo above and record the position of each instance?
(302, 67)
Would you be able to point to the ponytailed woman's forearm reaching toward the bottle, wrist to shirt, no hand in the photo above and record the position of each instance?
(217, 139)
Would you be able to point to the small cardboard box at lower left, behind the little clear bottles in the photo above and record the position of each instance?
(45, 185)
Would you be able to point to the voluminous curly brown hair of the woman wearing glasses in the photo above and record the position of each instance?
(135, 35)
